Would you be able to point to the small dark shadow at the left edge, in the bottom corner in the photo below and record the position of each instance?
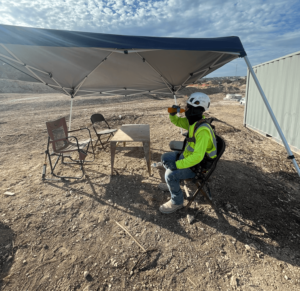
(7, 252)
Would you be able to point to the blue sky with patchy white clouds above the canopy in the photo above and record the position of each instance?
(268, 29)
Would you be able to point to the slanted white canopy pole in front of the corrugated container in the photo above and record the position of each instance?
(291, 156)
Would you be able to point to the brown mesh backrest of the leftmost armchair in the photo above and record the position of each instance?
(57, 130)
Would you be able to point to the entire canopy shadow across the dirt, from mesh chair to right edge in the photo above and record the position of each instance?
(252, 207)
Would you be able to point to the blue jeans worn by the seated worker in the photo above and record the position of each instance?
(174, 175)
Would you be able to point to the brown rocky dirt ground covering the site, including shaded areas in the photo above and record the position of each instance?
(51, 233)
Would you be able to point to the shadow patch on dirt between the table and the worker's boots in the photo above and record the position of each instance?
(128, 194)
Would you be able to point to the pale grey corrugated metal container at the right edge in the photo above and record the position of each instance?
(280, 80)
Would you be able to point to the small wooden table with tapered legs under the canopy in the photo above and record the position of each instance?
(131, 133)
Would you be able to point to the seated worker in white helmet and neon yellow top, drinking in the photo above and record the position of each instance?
(201, 144)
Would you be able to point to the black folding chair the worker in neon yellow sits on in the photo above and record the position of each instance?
(202, 177)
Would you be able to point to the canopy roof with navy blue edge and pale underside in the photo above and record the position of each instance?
(80, 63)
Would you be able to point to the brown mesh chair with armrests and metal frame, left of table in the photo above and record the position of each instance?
(63, 146)
